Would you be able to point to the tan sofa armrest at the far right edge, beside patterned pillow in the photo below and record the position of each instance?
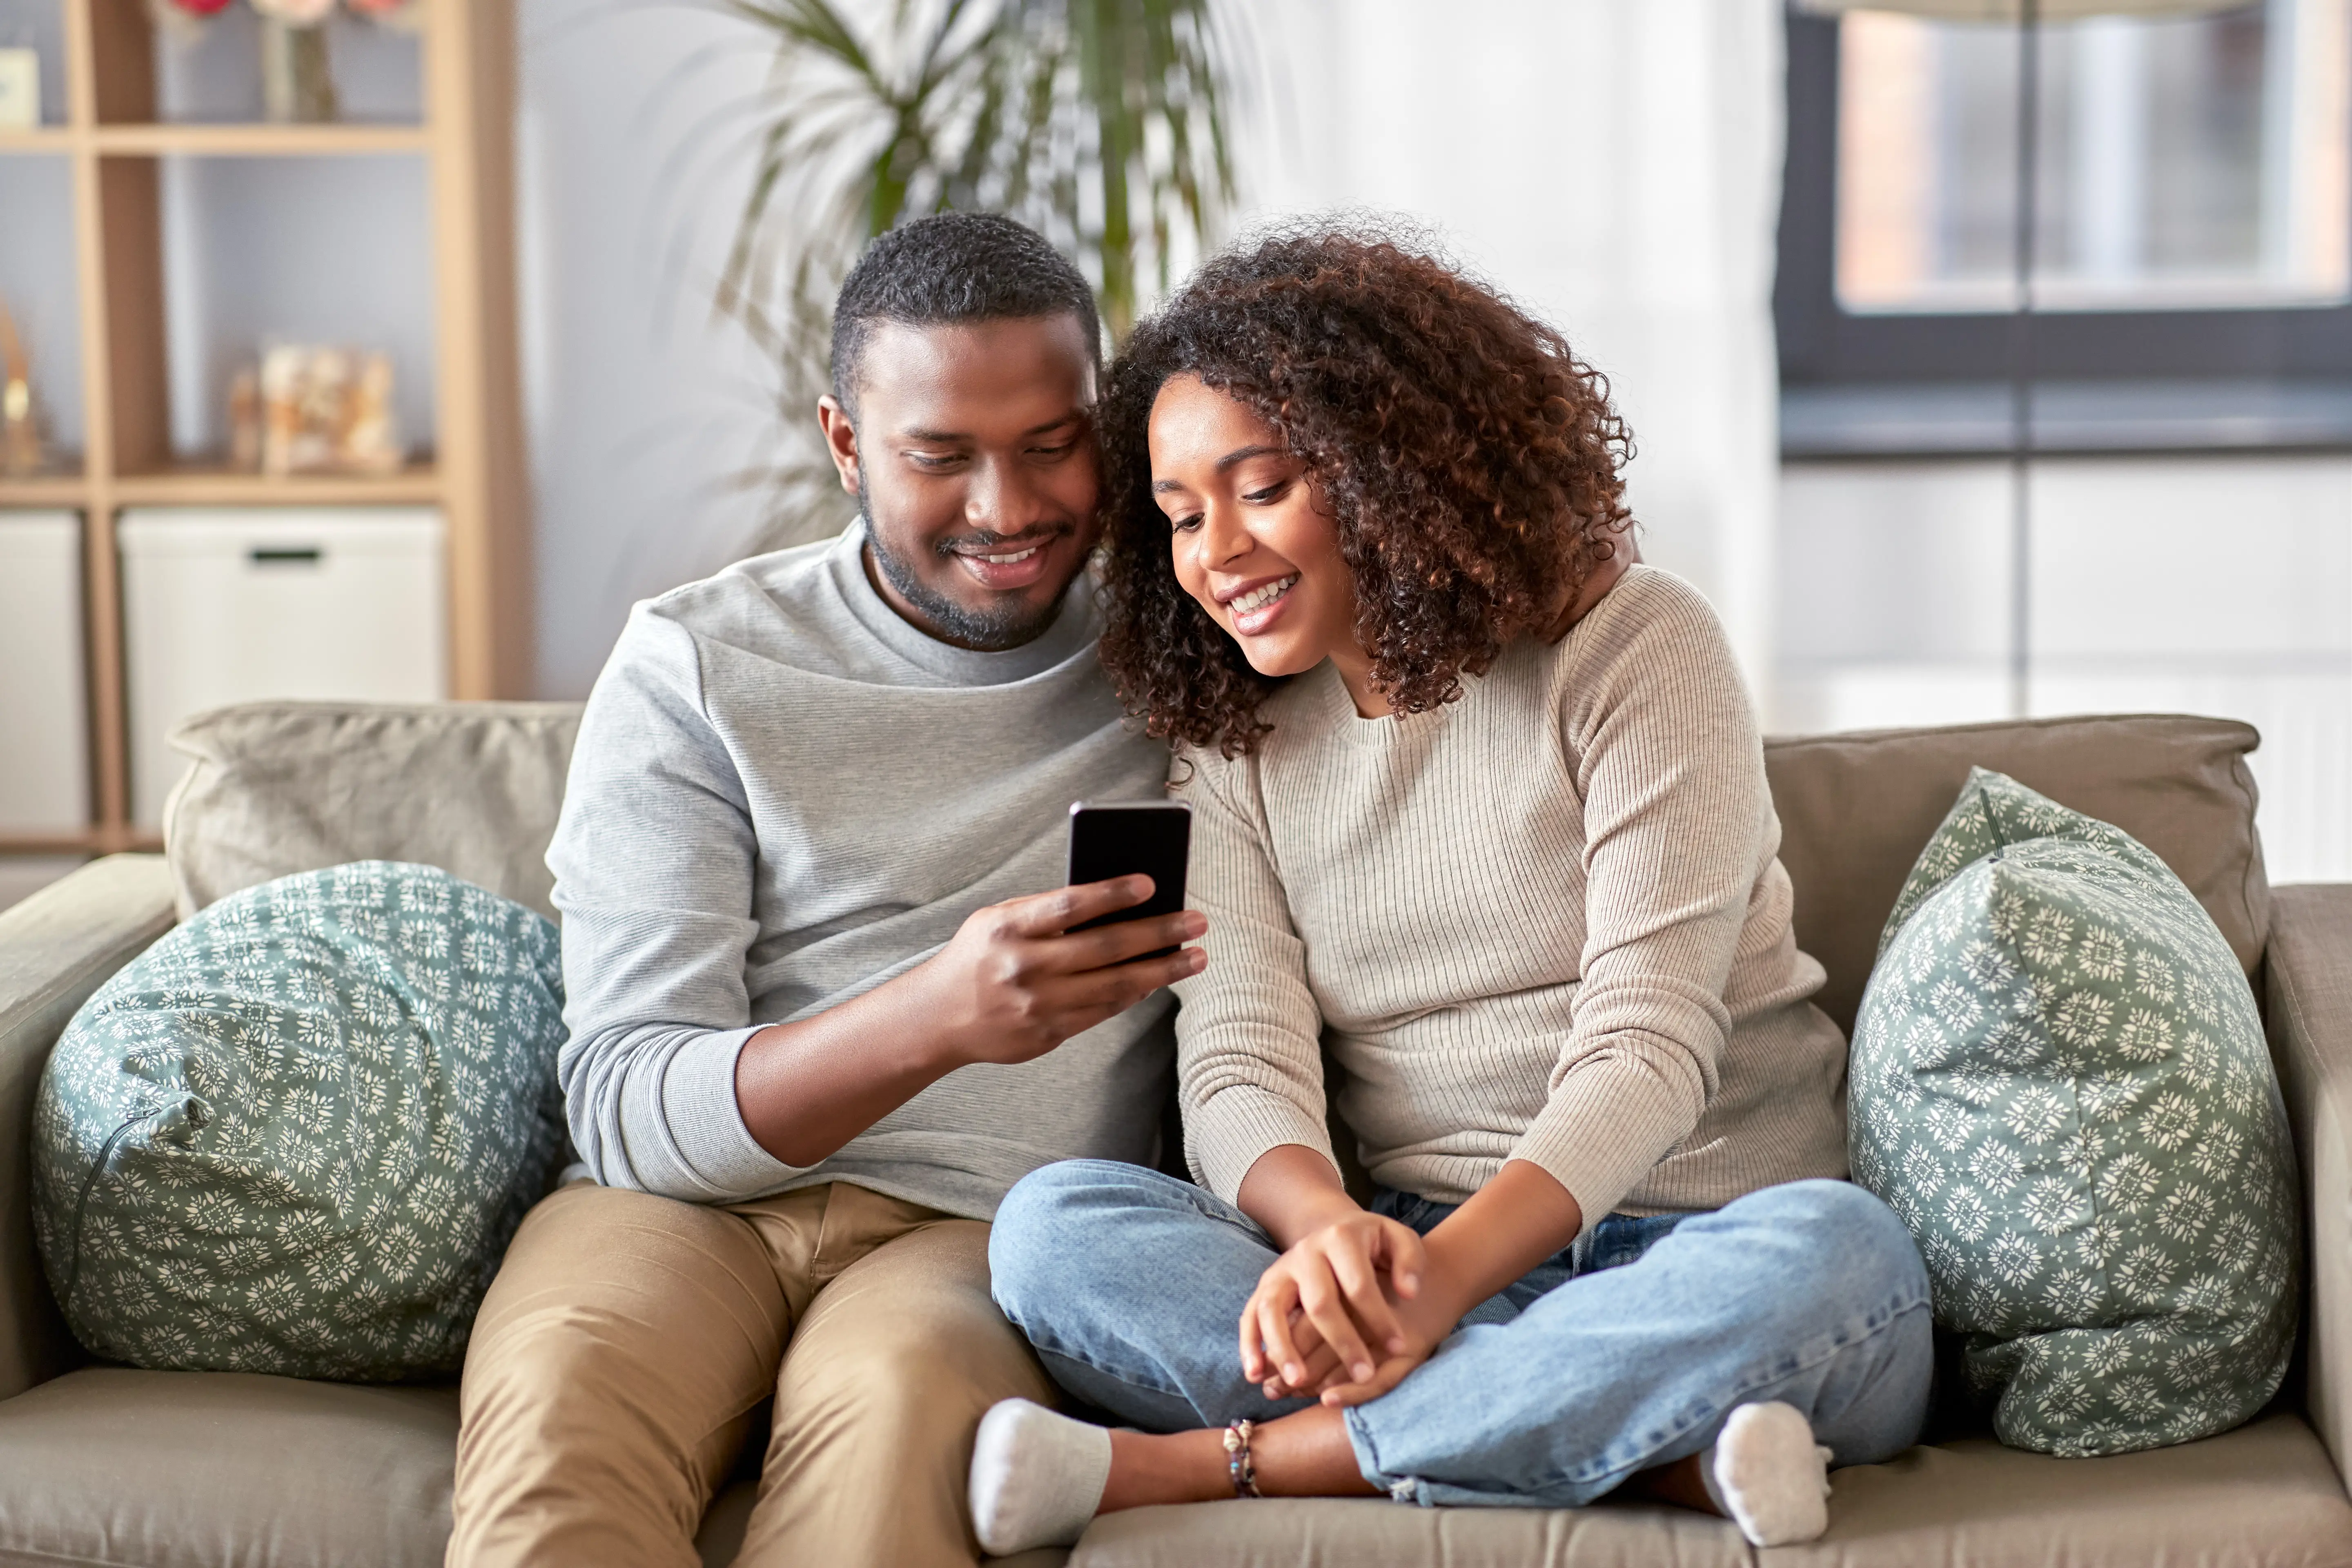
(2311, 1040)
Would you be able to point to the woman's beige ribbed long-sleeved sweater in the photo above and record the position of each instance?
(1544, 923)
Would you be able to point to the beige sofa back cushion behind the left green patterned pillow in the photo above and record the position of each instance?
(281, 789)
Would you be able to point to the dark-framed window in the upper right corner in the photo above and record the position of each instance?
(2193, 232)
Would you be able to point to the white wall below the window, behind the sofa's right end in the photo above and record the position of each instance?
(2160, 584)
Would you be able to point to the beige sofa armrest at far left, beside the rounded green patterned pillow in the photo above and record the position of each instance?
(55, 949)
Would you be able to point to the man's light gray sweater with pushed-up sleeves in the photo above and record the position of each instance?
(782, 798)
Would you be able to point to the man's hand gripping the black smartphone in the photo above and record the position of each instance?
(1017, 979)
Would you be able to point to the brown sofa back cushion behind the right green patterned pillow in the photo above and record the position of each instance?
(1859, 808)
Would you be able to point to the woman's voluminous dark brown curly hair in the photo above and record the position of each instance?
(1466, 455)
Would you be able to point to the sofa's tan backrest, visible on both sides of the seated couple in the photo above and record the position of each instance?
(474, 789)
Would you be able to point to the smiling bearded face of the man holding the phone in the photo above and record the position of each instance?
(973, 460)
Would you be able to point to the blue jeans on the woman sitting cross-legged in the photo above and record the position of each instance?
(1622, 1353)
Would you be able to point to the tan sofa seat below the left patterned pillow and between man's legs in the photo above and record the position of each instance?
(234, 1470)
